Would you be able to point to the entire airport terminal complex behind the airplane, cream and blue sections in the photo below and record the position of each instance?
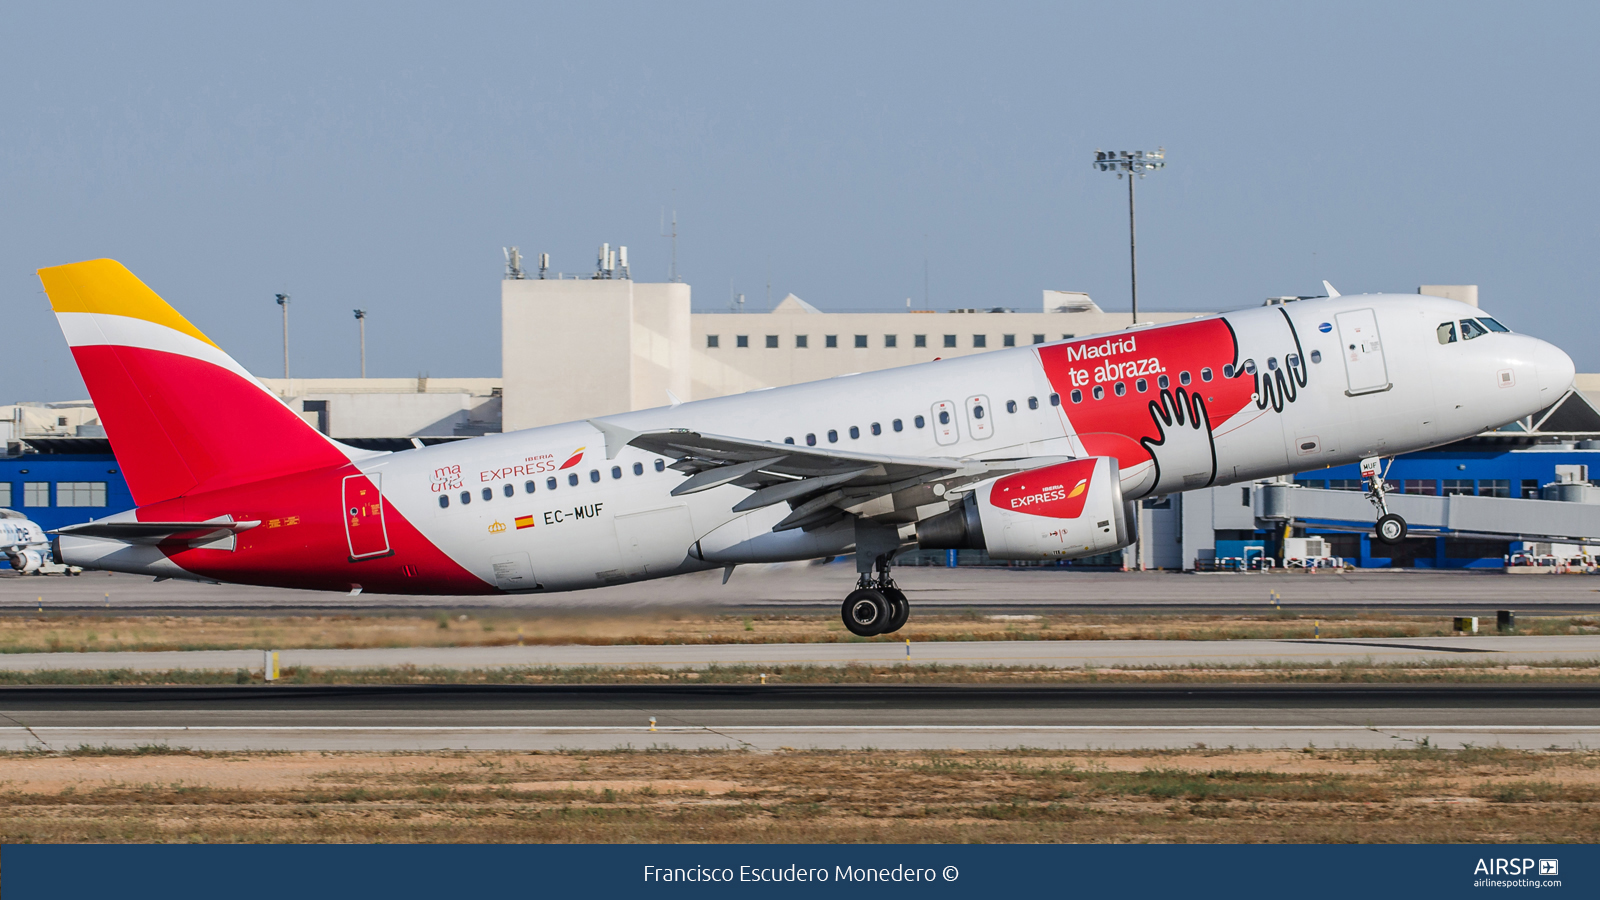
(580, 348)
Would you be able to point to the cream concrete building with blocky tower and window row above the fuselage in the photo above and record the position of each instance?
(598, 347)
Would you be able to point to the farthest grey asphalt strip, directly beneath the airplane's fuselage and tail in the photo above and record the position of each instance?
(818, 590)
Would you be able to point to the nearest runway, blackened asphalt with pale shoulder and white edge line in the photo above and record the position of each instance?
(767, 718)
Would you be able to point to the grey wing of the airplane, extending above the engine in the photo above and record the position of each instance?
(820, 484)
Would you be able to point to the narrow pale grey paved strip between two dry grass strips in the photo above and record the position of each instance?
(1042, 654)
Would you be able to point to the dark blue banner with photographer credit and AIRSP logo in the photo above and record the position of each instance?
(794, 870)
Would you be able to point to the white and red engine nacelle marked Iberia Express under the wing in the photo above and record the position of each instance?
(1062, 512)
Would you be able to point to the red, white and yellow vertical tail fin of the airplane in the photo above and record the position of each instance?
(182, 416)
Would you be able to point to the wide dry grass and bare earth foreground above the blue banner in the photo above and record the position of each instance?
(1017, 797)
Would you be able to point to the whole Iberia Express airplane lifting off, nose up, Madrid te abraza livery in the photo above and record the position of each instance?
(1033, 454)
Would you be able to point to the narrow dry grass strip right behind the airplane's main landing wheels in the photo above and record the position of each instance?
(79, 633)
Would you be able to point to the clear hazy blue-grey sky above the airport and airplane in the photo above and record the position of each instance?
(380, 156)
